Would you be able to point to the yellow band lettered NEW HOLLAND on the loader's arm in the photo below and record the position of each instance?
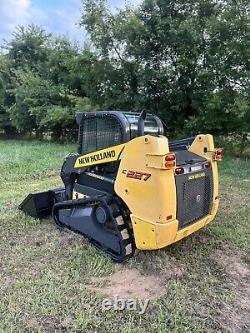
(106, 155)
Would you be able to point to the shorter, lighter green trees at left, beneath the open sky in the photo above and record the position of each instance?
(44, 84)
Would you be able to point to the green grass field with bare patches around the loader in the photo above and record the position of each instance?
(52, 281)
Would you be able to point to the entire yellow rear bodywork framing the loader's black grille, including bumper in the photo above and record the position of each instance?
(153, 200)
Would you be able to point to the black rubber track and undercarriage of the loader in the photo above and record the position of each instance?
(103, 220)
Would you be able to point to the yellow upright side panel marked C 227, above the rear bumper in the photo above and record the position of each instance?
(155, 198)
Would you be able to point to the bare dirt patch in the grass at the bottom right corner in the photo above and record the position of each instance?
(235, 316)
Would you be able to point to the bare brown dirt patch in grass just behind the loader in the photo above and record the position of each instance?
(129, 283)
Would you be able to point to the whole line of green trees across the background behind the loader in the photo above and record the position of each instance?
(188, 61)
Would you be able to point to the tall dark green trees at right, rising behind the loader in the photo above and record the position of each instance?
(173, 57)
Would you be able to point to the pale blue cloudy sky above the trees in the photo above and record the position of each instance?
(56, 16)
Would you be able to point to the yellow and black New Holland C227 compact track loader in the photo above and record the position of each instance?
(129, 187)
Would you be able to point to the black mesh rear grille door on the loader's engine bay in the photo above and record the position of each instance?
(194, 197)
